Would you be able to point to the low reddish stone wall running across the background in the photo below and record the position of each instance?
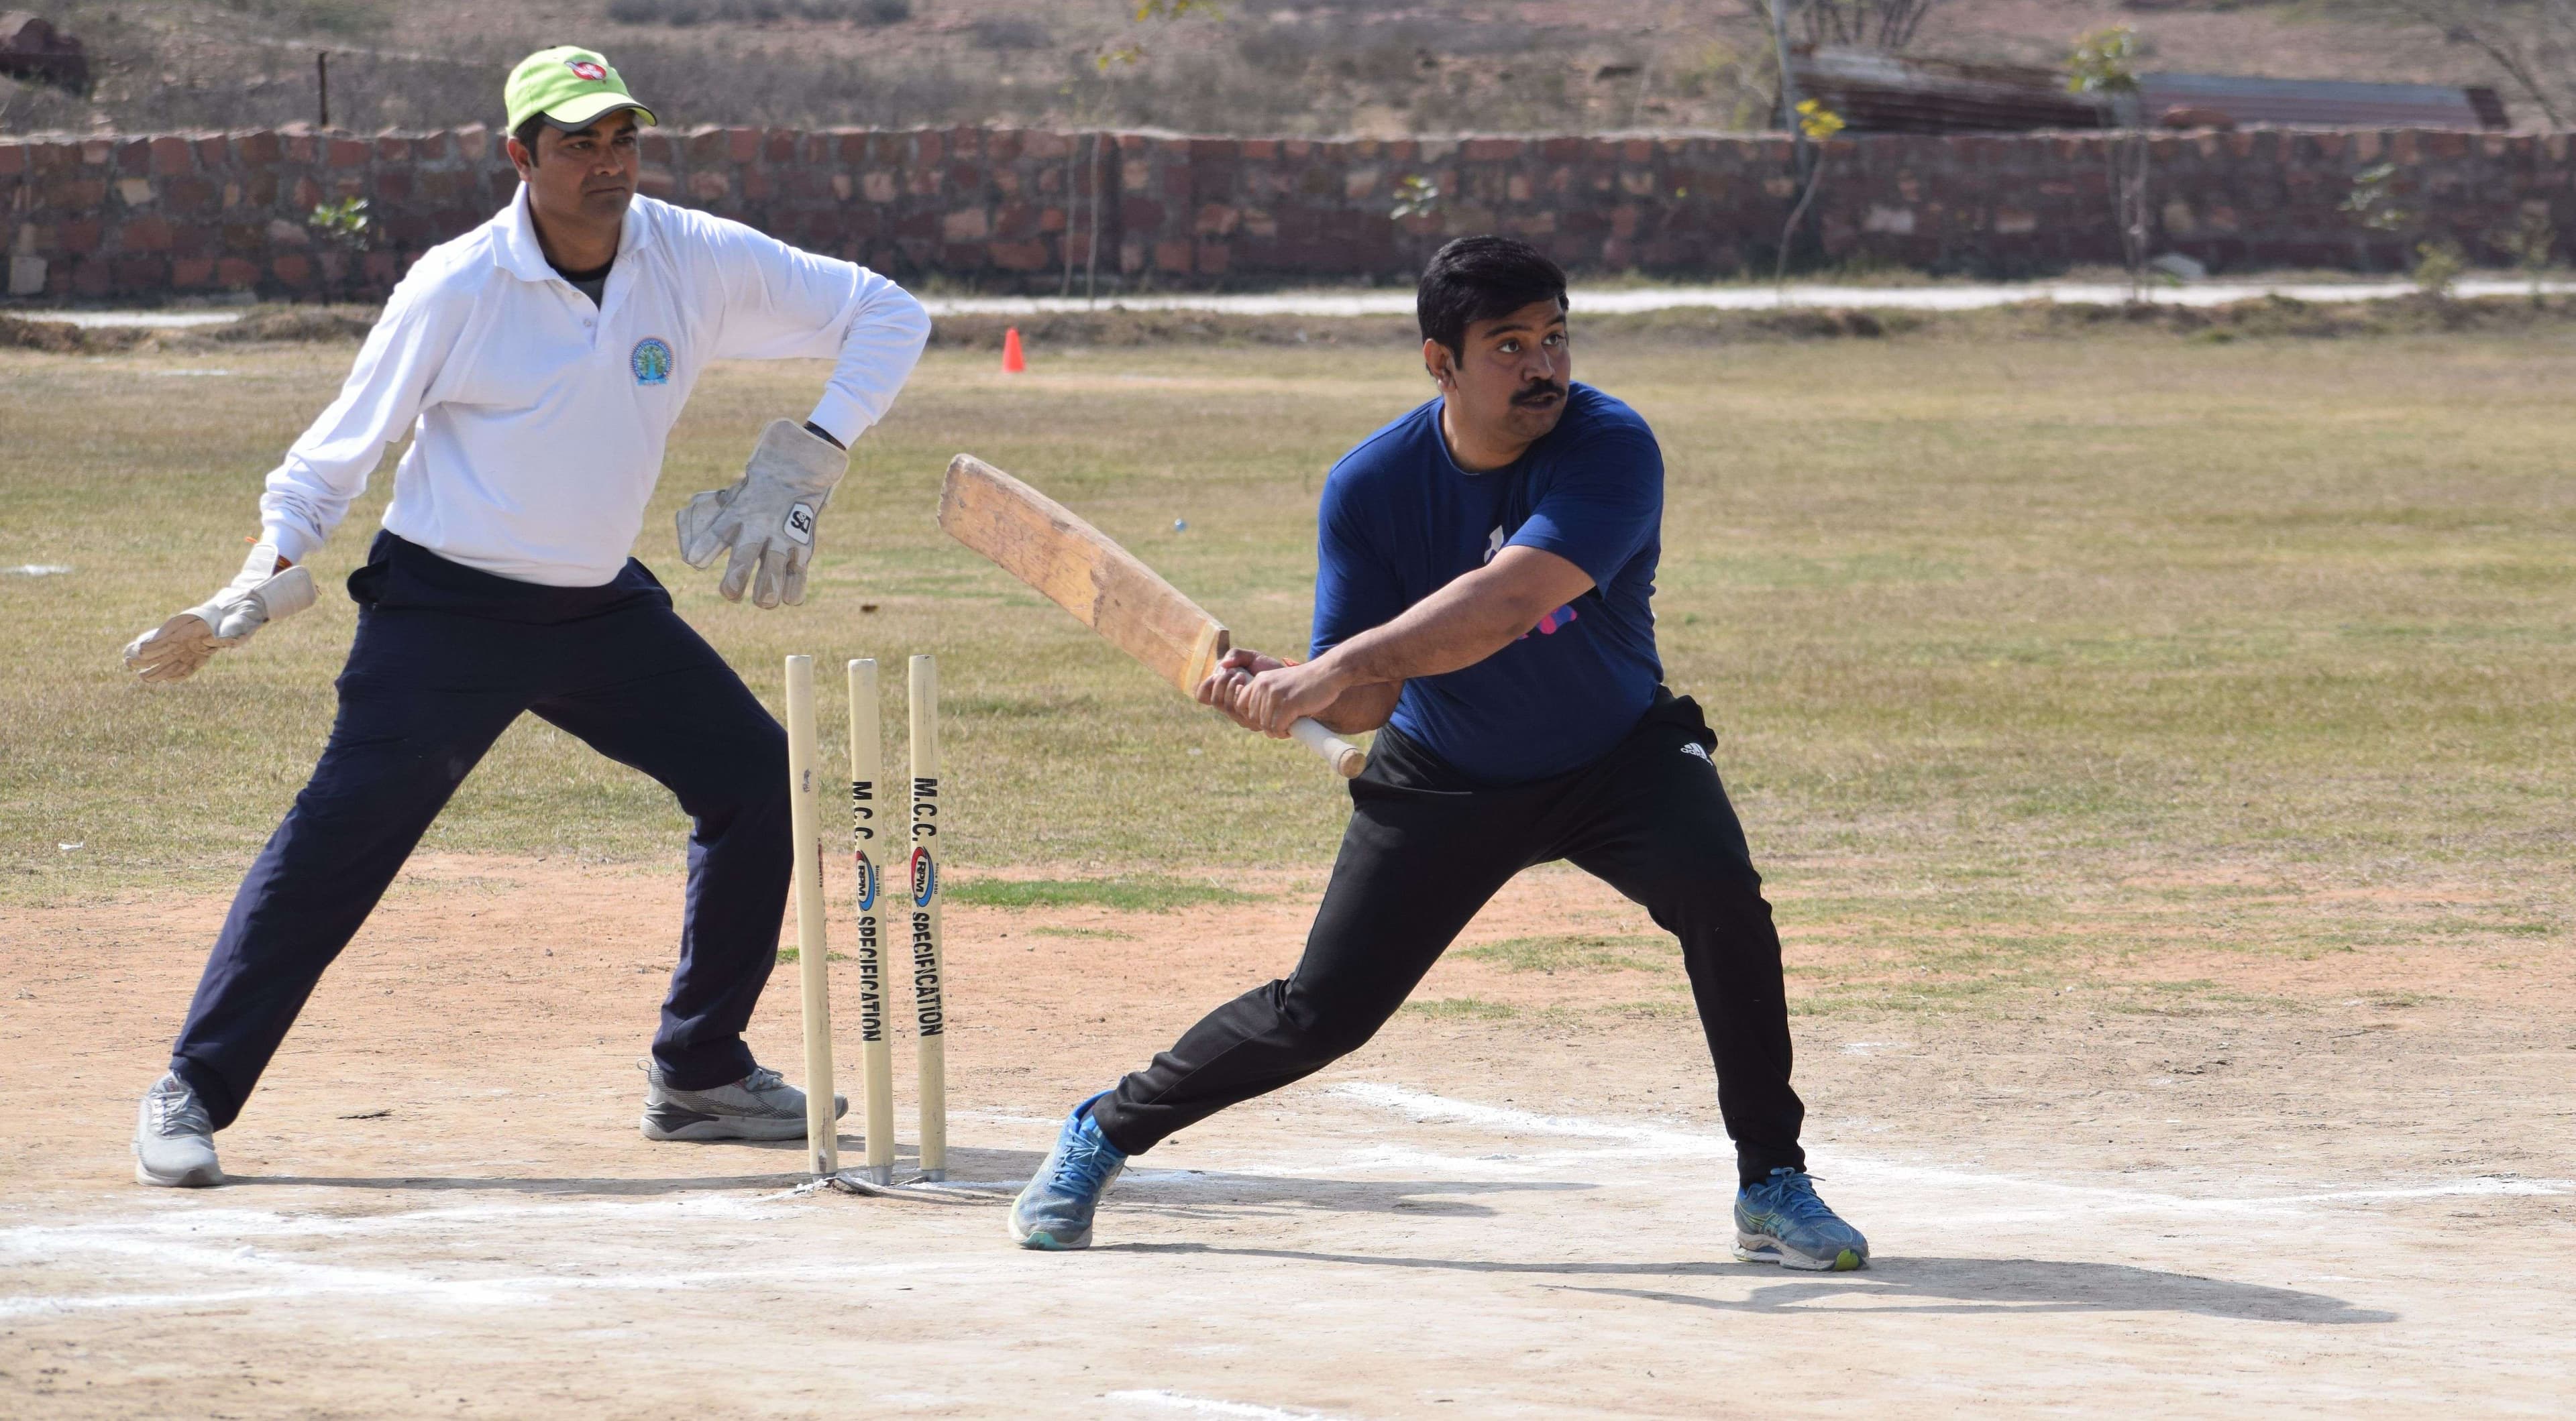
(174, 215)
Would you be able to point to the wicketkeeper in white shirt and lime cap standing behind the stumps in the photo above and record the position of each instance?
(540, 364)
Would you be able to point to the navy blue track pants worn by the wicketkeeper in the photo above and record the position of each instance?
(444, 660)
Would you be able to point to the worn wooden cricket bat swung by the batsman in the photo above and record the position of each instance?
(1078, 568)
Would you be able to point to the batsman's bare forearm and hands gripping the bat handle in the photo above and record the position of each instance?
(1457, 627)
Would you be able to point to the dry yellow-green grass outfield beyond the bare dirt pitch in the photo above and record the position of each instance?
(2026, 655)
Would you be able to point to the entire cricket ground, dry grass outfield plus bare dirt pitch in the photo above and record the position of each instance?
(2157, 750)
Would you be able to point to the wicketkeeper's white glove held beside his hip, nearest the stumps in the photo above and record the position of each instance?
(769, 516)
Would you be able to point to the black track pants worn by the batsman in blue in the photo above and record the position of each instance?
(1423, 853)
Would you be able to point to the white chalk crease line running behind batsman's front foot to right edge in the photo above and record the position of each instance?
(1660, 1142)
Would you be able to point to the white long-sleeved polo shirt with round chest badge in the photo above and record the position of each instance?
(540, 421)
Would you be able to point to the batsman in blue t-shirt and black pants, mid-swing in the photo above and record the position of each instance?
(1485, 601)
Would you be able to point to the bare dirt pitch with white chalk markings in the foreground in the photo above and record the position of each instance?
(1511, 1206)
